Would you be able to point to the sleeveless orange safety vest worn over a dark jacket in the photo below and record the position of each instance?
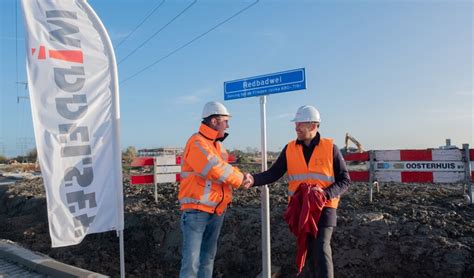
(318, 171)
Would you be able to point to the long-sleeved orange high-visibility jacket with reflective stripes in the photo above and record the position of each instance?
(207, 179)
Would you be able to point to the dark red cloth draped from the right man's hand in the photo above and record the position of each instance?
(302, 216)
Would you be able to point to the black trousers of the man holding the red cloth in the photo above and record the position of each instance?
(319, 257)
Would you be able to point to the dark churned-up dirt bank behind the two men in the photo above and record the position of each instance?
(408, 231)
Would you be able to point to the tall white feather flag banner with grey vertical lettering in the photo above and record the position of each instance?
(73, 86)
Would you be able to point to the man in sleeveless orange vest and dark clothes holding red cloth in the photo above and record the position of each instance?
(311, 159)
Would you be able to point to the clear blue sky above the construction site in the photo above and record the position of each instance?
(394, 74)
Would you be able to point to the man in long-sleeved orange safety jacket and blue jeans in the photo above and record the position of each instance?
(207, 181)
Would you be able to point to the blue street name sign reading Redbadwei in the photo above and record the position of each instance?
(273, 83)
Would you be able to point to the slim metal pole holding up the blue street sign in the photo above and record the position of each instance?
(264, 194)
